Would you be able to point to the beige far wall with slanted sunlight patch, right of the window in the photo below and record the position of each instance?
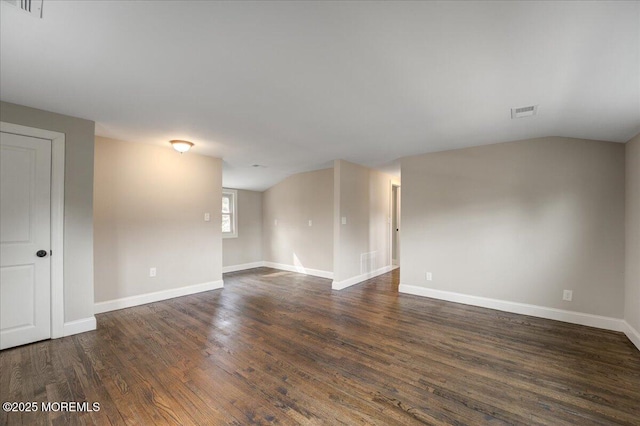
(292, 203)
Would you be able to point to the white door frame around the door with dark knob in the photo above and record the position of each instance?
(57, 218)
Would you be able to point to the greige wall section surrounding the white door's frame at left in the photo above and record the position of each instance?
(78, 201)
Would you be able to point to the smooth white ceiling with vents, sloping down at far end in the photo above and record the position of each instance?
(295, 85)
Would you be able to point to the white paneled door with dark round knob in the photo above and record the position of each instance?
(25, 240)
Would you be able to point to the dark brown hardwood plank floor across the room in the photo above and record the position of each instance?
(283, 348)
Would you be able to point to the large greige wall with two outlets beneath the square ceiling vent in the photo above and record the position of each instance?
(520, 222)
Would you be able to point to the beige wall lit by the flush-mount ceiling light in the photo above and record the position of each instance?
(149, 210)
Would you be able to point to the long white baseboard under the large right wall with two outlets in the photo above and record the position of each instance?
(607, 323)
